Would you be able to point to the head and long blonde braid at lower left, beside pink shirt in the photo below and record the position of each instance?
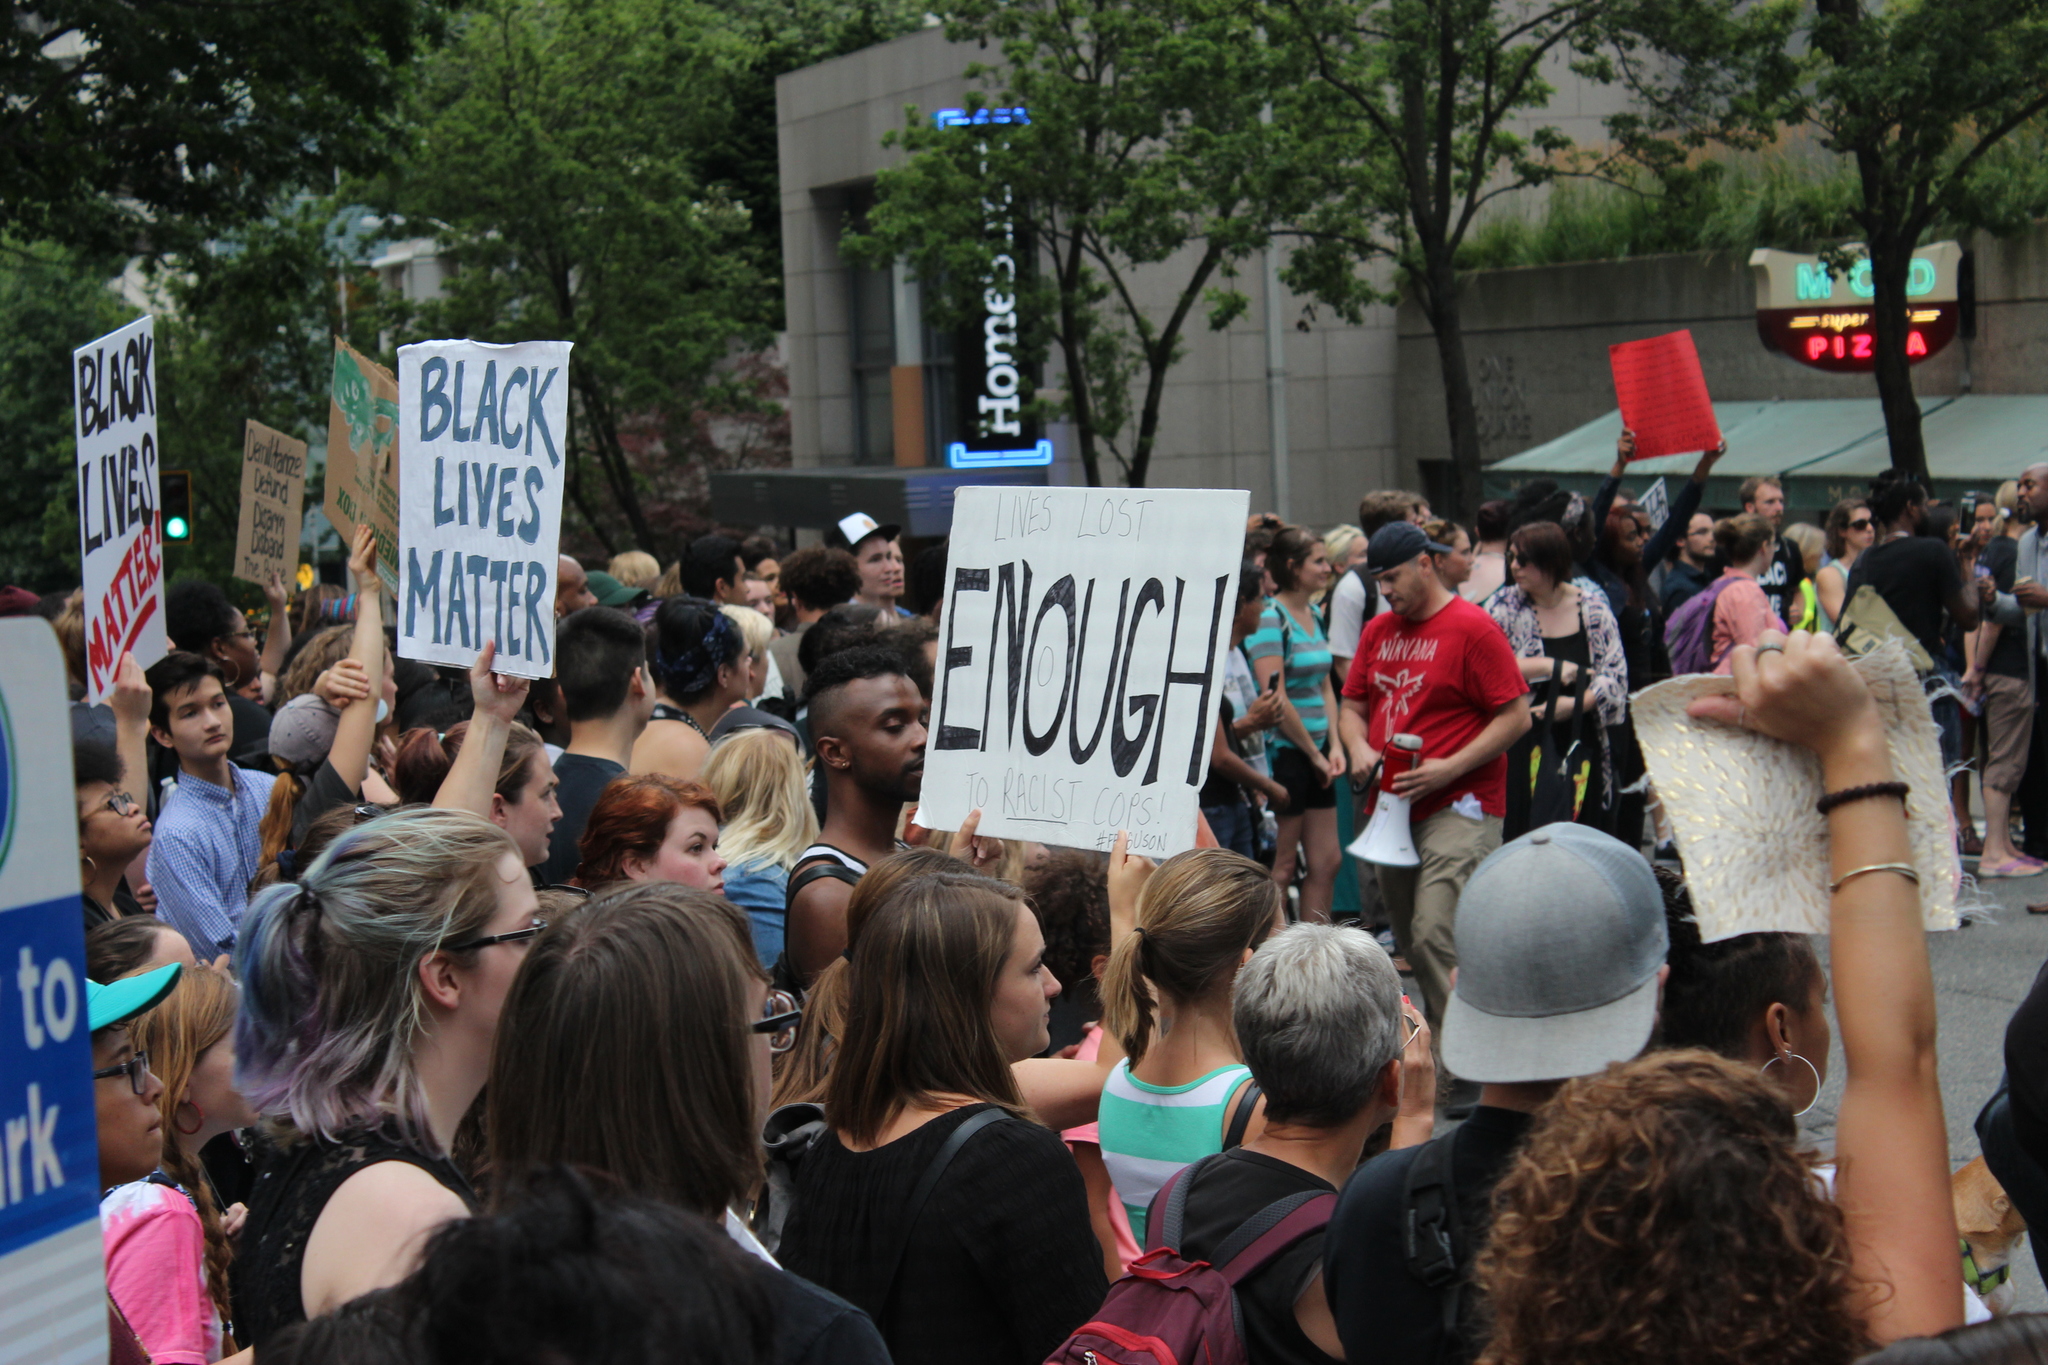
(191, 1049)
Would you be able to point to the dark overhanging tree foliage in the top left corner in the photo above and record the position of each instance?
(134, 126)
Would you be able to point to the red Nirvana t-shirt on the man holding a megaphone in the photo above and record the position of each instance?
(1443, 680)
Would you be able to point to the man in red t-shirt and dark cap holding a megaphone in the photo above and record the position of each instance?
(1439, 668)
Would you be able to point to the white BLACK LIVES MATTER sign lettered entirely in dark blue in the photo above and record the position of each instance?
(482, 511)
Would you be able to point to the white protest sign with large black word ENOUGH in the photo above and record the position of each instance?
(1082, 662)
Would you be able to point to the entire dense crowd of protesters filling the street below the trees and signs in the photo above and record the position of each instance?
(632, 1014)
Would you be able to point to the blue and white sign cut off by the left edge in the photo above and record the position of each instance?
(52, 1286)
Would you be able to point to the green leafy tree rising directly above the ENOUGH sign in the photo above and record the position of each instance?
(1148, 155)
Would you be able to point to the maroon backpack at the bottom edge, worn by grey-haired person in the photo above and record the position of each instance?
(1168, 1311)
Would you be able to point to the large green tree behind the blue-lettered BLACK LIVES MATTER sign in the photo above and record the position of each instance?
(560, 167)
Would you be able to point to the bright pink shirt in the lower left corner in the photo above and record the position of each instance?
(157, 1270)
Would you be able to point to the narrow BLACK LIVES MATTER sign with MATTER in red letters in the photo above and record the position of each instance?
(120, 523)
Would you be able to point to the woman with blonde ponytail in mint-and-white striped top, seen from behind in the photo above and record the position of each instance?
(1183, 1090)
